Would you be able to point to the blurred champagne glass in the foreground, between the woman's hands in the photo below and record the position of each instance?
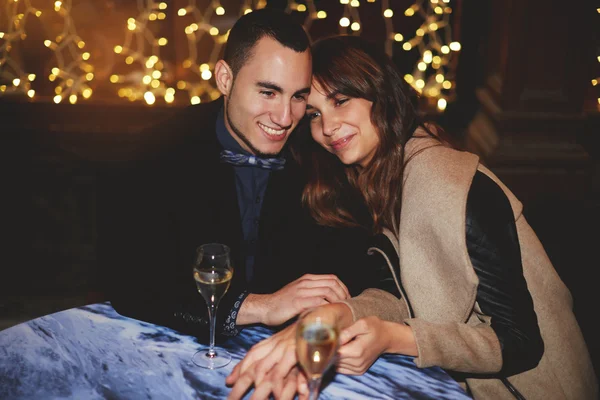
(316, 345)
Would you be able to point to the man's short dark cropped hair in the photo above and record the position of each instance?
(252, 27)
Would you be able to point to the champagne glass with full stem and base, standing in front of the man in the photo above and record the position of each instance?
(212, 273)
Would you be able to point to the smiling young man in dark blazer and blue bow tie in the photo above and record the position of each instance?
(221, 174)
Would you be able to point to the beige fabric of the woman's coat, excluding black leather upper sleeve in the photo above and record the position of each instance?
(441, 285)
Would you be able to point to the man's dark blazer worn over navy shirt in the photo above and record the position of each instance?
(154, 213)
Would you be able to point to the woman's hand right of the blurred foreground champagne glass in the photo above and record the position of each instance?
(365, 340)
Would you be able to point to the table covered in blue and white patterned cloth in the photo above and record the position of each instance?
(92, 352)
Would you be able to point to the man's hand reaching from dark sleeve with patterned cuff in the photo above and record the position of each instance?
(302, 294)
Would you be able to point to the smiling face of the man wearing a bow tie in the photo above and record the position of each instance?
(268, 97)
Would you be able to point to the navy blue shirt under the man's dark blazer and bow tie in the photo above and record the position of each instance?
(251, 185)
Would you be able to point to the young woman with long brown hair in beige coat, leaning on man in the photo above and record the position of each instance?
(474, 293)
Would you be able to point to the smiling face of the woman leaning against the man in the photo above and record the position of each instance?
(342, 125)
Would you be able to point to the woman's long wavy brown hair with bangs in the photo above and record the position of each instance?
(353, 67)
